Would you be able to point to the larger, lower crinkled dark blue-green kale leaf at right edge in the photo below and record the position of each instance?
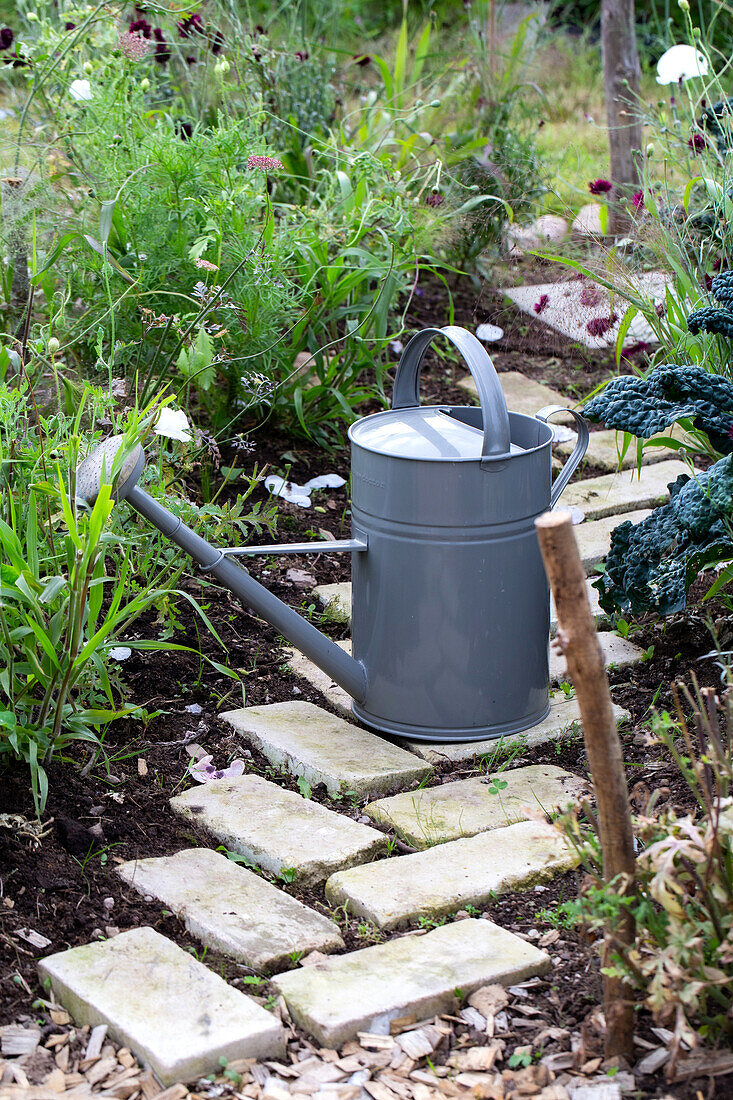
(652, 565)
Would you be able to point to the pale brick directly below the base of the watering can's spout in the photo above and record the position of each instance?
(323, 749)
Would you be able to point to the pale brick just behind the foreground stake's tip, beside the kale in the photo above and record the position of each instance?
(615, 494)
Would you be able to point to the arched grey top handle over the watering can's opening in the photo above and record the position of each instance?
(406, 393)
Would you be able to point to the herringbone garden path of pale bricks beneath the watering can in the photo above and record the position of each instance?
(462, 844)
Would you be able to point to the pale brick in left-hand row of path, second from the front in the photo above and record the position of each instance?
(232, 910)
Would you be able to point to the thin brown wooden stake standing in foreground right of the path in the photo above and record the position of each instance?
(578, 641)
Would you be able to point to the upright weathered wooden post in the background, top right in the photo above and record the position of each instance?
(621, 84)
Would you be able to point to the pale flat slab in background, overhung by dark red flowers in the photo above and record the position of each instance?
(574, 304)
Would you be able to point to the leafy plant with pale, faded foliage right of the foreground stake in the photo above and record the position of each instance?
(682, 961)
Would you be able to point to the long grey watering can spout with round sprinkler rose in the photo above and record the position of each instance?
(341, 667)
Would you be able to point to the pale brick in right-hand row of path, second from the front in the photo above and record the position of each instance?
(452, 876)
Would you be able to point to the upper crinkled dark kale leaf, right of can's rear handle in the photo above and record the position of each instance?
(669, 394)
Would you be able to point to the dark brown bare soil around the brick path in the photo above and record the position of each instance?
(112, 807)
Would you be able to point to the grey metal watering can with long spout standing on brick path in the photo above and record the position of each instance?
(451, 623)
